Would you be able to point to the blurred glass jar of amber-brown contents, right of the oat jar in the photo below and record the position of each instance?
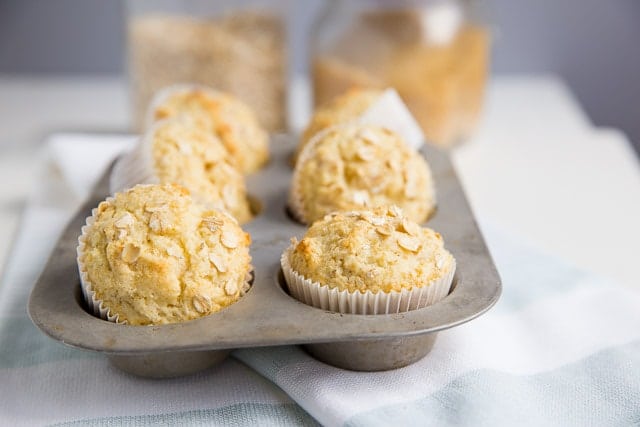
(433, 52)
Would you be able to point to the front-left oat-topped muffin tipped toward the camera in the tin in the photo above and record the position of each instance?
(152, 255)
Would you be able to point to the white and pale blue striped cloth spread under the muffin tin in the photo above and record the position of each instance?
(562, 347)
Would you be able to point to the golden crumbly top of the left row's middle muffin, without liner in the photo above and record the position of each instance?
(185, 154)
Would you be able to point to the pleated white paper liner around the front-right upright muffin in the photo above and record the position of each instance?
(345, 302)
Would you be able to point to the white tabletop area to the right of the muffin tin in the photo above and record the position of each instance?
(537, 169)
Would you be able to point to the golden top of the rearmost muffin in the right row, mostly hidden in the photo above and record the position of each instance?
(344, 108)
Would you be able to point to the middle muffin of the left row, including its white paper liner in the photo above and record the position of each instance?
(177, 151)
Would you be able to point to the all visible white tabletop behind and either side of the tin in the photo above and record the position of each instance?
(536, 167)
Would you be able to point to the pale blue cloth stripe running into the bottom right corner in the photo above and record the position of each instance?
(600, 390)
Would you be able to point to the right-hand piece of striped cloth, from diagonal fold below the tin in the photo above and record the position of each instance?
(561, 348)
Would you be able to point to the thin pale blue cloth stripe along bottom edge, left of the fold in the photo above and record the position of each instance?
(234, 415)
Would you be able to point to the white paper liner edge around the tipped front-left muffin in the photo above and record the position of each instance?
(96, 305)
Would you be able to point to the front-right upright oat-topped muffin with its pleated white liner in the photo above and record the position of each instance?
(368, 262)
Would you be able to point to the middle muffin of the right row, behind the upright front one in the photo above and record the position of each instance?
(354, 166)
